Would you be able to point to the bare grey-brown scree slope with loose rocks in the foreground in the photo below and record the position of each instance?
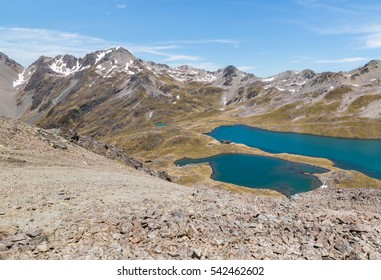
(58, 203)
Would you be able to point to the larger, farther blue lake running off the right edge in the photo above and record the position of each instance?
(352, 154)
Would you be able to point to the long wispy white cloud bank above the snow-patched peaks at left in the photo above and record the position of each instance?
(25, 45)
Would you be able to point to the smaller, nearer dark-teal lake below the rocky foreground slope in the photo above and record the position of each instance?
(261, 172)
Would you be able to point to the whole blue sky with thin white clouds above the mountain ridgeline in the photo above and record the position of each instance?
(261, 37)
